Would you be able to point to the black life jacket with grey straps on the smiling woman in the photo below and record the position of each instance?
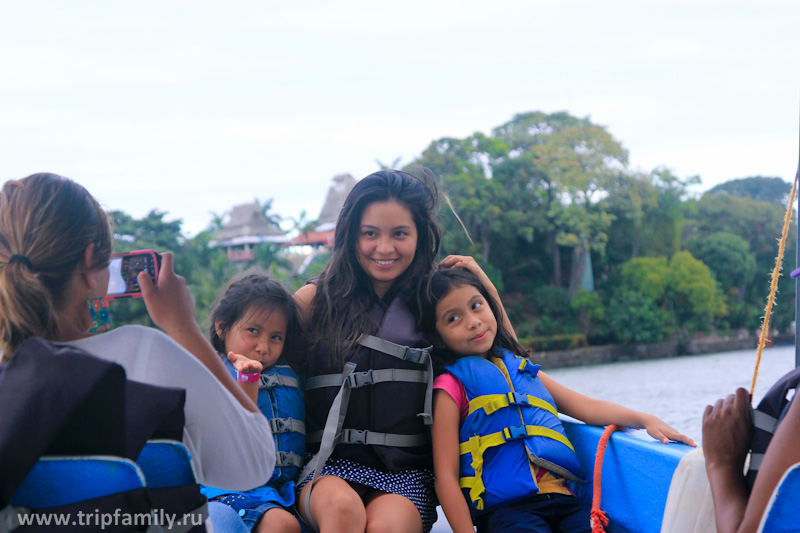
(388, 394)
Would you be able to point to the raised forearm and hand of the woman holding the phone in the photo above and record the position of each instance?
(171, 306)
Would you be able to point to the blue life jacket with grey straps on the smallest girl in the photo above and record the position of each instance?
(280, 399)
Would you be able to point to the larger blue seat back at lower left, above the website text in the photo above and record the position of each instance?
(63, 480)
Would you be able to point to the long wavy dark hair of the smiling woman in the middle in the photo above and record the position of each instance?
(340, 310)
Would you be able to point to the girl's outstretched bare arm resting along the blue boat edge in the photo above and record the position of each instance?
(601, 413)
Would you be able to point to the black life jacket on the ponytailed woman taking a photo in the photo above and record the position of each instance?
(59, 400)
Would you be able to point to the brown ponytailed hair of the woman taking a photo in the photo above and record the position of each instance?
(46, 223)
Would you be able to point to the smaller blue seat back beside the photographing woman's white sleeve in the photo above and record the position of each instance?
(166, 463)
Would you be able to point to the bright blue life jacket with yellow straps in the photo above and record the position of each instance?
(512, 424)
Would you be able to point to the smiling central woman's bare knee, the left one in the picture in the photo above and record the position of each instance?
(335, 506)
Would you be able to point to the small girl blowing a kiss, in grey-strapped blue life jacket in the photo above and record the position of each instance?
(254, 327)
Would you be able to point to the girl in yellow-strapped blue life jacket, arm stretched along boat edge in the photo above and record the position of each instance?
(496, 433)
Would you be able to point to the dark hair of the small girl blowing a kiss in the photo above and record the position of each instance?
(255, 292)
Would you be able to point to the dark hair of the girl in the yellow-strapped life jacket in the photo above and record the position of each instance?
(438, 285)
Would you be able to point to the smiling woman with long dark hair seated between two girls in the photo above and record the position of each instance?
(379, 474)
